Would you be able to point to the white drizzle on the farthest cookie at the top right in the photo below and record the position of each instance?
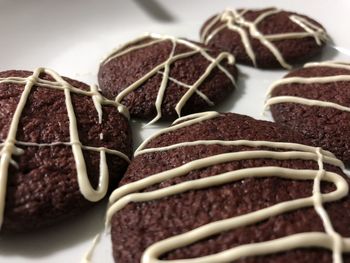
(235, 21)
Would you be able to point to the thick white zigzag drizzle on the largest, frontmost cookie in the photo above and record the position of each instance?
(328, 240)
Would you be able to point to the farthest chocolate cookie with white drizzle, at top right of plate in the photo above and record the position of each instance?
(265, 38)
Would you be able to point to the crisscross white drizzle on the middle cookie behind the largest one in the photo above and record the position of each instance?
(164, 69)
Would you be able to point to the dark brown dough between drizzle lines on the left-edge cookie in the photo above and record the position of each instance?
(43, 189)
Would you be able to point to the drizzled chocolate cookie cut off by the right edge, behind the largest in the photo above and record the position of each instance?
(315, 100)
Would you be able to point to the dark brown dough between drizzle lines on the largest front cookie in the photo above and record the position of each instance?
(139, 225)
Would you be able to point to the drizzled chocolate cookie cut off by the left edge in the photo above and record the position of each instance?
(61, 145)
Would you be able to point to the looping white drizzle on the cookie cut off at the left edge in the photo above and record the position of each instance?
(10, 146)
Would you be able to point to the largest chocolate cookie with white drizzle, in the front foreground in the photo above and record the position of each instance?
(229, 188)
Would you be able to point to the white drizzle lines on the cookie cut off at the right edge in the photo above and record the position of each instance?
(310, 80)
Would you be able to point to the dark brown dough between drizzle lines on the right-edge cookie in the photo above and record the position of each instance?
(326, 127)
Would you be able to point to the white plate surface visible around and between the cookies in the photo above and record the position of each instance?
(72, 36)
